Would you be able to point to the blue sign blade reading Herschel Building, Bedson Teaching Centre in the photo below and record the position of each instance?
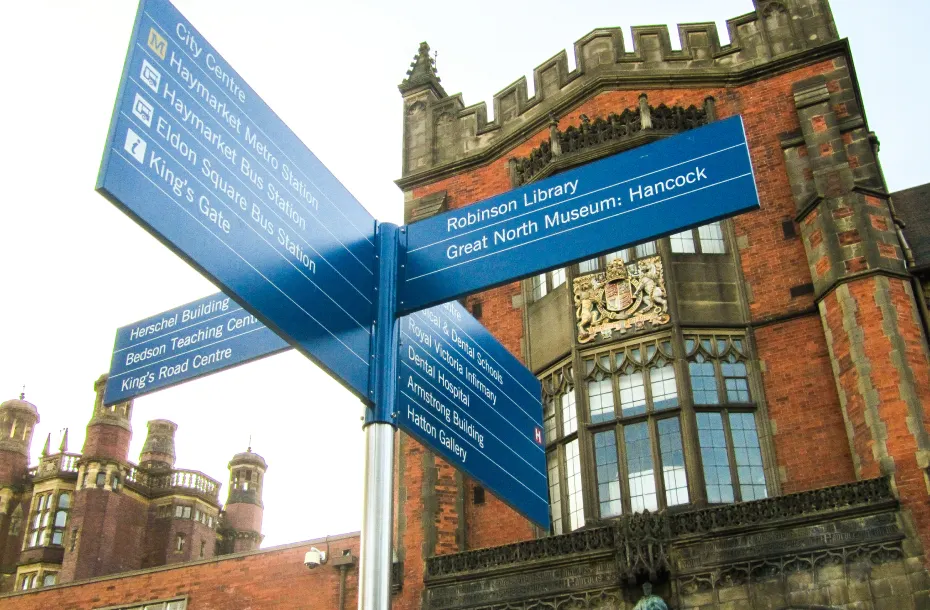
(207, 336)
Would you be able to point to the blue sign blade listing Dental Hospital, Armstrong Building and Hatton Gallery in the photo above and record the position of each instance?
(465, 397)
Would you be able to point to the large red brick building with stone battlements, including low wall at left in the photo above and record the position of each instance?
(757, 437)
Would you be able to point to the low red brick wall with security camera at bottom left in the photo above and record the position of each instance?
(276, 578)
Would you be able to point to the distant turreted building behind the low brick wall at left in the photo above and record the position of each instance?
(76, 516)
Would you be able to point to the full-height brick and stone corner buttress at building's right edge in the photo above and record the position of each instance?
(870, 318)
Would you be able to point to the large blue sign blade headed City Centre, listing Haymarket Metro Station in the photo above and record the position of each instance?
(199, 160)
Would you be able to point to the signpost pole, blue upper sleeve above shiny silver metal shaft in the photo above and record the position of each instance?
(374, 591)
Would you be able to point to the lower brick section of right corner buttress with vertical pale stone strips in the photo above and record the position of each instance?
(883, 377)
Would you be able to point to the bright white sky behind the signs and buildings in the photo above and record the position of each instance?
(73, 268)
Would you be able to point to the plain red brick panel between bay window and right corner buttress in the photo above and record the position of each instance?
(809, 432)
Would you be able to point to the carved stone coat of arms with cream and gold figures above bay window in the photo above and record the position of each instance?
(622, 298)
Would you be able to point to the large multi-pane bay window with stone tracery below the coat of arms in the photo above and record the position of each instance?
(629, 436)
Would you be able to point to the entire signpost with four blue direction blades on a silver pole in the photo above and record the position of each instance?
(196, 158)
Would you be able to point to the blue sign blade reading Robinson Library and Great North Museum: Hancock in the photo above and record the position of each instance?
(634, 196)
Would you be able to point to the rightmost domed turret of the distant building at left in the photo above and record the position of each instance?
(244, 508)
